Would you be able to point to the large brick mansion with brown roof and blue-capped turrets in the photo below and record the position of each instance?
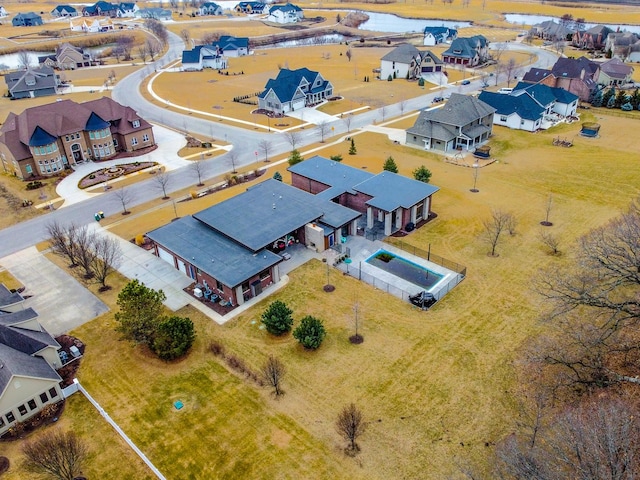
(44, 140)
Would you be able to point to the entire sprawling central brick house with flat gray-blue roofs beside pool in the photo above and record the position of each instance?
(233, 248)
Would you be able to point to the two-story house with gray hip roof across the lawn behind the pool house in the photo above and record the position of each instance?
(463, 122)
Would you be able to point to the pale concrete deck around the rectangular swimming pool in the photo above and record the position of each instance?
(361, 249)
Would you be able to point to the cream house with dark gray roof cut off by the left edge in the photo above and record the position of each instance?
(28, 362)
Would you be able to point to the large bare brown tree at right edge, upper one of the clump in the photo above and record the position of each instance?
(595, 305)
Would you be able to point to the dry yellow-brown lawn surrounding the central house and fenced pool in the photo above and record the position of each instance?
(428, 383)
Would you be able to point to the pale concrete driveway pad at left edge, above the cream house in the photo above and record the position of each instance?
(61, 302)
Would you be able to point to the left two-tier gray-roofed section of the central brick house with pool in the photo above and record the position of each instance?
(233, 247)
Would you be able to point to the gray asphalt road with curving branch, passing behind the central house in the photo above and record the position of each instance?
(245, 143)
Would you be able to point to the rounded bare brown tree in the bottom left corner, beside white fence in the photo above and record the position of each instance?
(57, 454)
